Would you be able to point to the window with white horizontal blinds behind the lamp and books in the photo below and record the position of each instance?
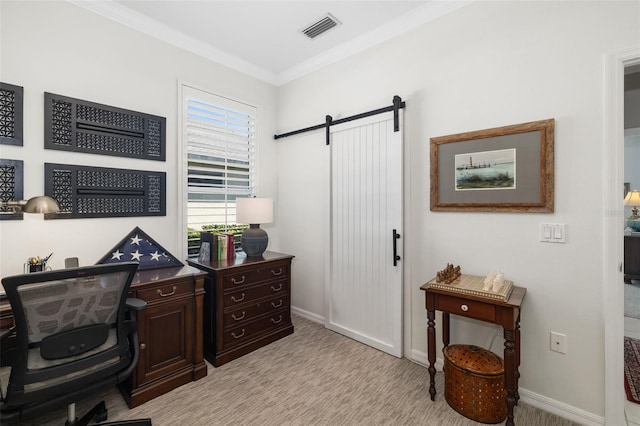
(219, 135)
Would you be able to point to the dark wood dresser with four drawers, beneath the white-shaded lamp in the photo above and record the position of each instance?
(247, 304)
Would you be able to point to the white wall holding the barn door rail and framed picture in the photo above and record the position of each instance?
(486, 65)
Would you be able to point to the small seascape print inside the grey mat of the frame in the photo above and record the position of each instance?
(486, 170)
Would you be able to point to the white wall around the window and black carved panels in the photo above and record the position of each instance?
(60, 48)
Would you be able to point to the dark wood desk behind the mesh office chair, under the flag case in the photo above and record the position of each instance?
(169, 331)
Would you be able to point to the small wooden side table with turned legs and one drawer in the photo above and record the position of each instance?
(505, 314)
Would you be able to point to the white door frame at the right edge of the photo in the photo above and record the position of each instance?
(613, 223)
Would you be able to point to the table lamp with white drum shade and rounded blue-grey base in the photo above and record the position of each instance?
(254, 211)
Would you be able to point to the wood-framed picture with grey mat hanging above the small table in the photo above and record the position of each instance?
(504, 169)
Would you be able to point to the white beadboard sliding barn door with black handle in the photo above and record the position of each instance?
(363, 287)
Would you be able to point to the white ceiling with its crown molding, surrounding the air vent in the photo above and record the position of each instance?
(263, 38)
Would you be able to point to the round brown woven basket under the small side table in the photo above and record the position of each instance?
(474, 383)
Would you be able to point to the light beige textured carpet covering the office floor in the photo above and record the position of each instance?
(312, 377)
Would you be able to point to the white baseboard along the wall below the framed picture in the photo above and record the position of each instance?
(531, 398)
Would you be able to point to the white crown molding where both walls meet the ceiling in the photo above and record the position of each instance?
(137, 21)
